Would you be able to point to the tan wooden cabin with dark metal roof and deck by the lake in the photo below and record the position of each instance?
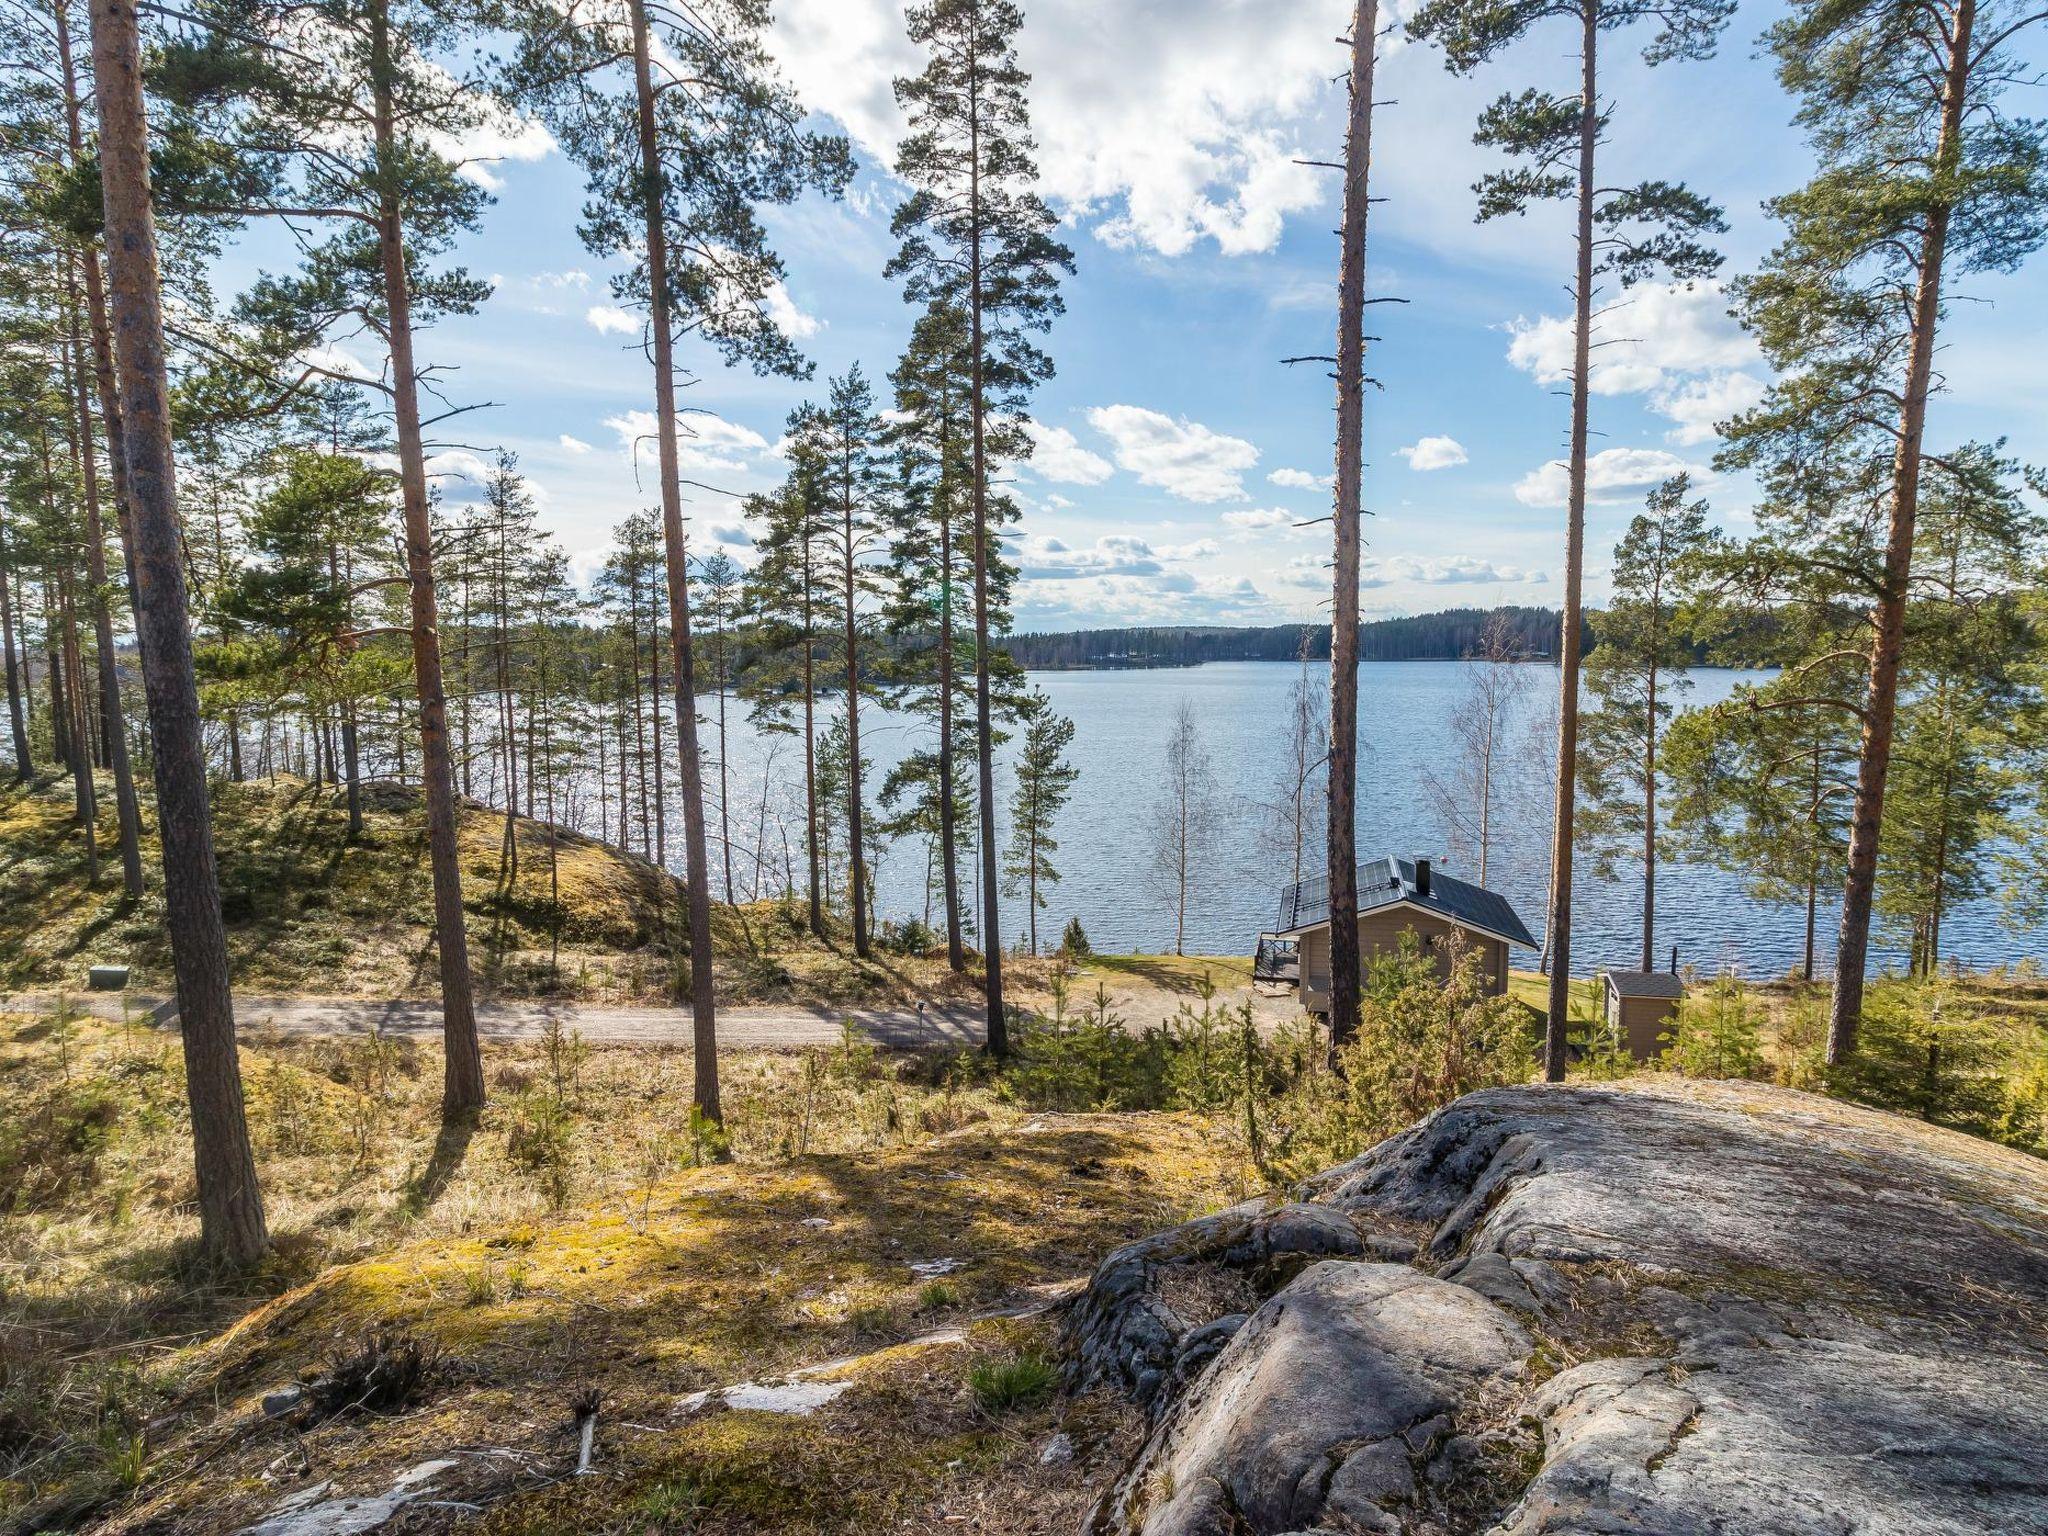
(1398, 896)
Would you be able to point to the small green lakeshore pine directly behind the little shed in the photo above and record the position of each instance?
(1637, 675)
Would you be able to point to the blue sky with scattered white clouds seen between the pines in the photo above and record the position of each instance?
(1177, 454)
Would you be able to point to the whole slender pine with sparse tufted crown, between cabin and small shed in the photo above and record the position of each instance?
(1629, 232)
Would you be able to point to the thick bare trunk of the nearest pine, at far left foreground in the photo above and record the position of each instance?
(230, 1205)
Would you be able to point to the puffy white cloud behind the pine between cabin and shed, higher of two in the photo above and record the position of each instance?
(1676, 345)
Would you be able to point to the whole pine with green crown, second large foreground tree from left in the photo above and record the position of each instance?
(351, 138)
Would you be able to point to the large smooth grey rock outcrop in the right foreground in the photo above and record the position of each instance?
(1656, 1308)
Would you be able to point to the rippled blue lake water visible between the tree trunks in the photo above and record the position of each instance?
(1107, 859)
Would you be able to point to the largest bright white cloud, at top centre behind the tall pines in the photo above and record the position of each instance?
(1166, 126)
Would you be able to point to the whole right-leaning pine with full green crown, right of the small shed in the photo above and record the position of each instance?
(1922, 179)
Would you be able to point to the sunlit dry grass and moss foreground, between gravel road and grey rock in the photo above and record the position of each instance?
(564, 1242)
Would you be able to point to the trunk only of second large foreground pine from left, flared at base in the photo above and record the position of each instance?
(464, 1068)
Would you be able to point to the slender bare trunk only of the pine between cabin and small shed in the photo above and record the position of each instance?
(1558, 929)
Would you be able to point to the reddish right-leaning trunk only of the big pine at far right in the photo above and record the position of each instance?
(1889, 620)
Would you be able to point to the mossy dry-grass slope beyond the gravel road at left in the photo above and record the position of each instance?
(312, 912)
